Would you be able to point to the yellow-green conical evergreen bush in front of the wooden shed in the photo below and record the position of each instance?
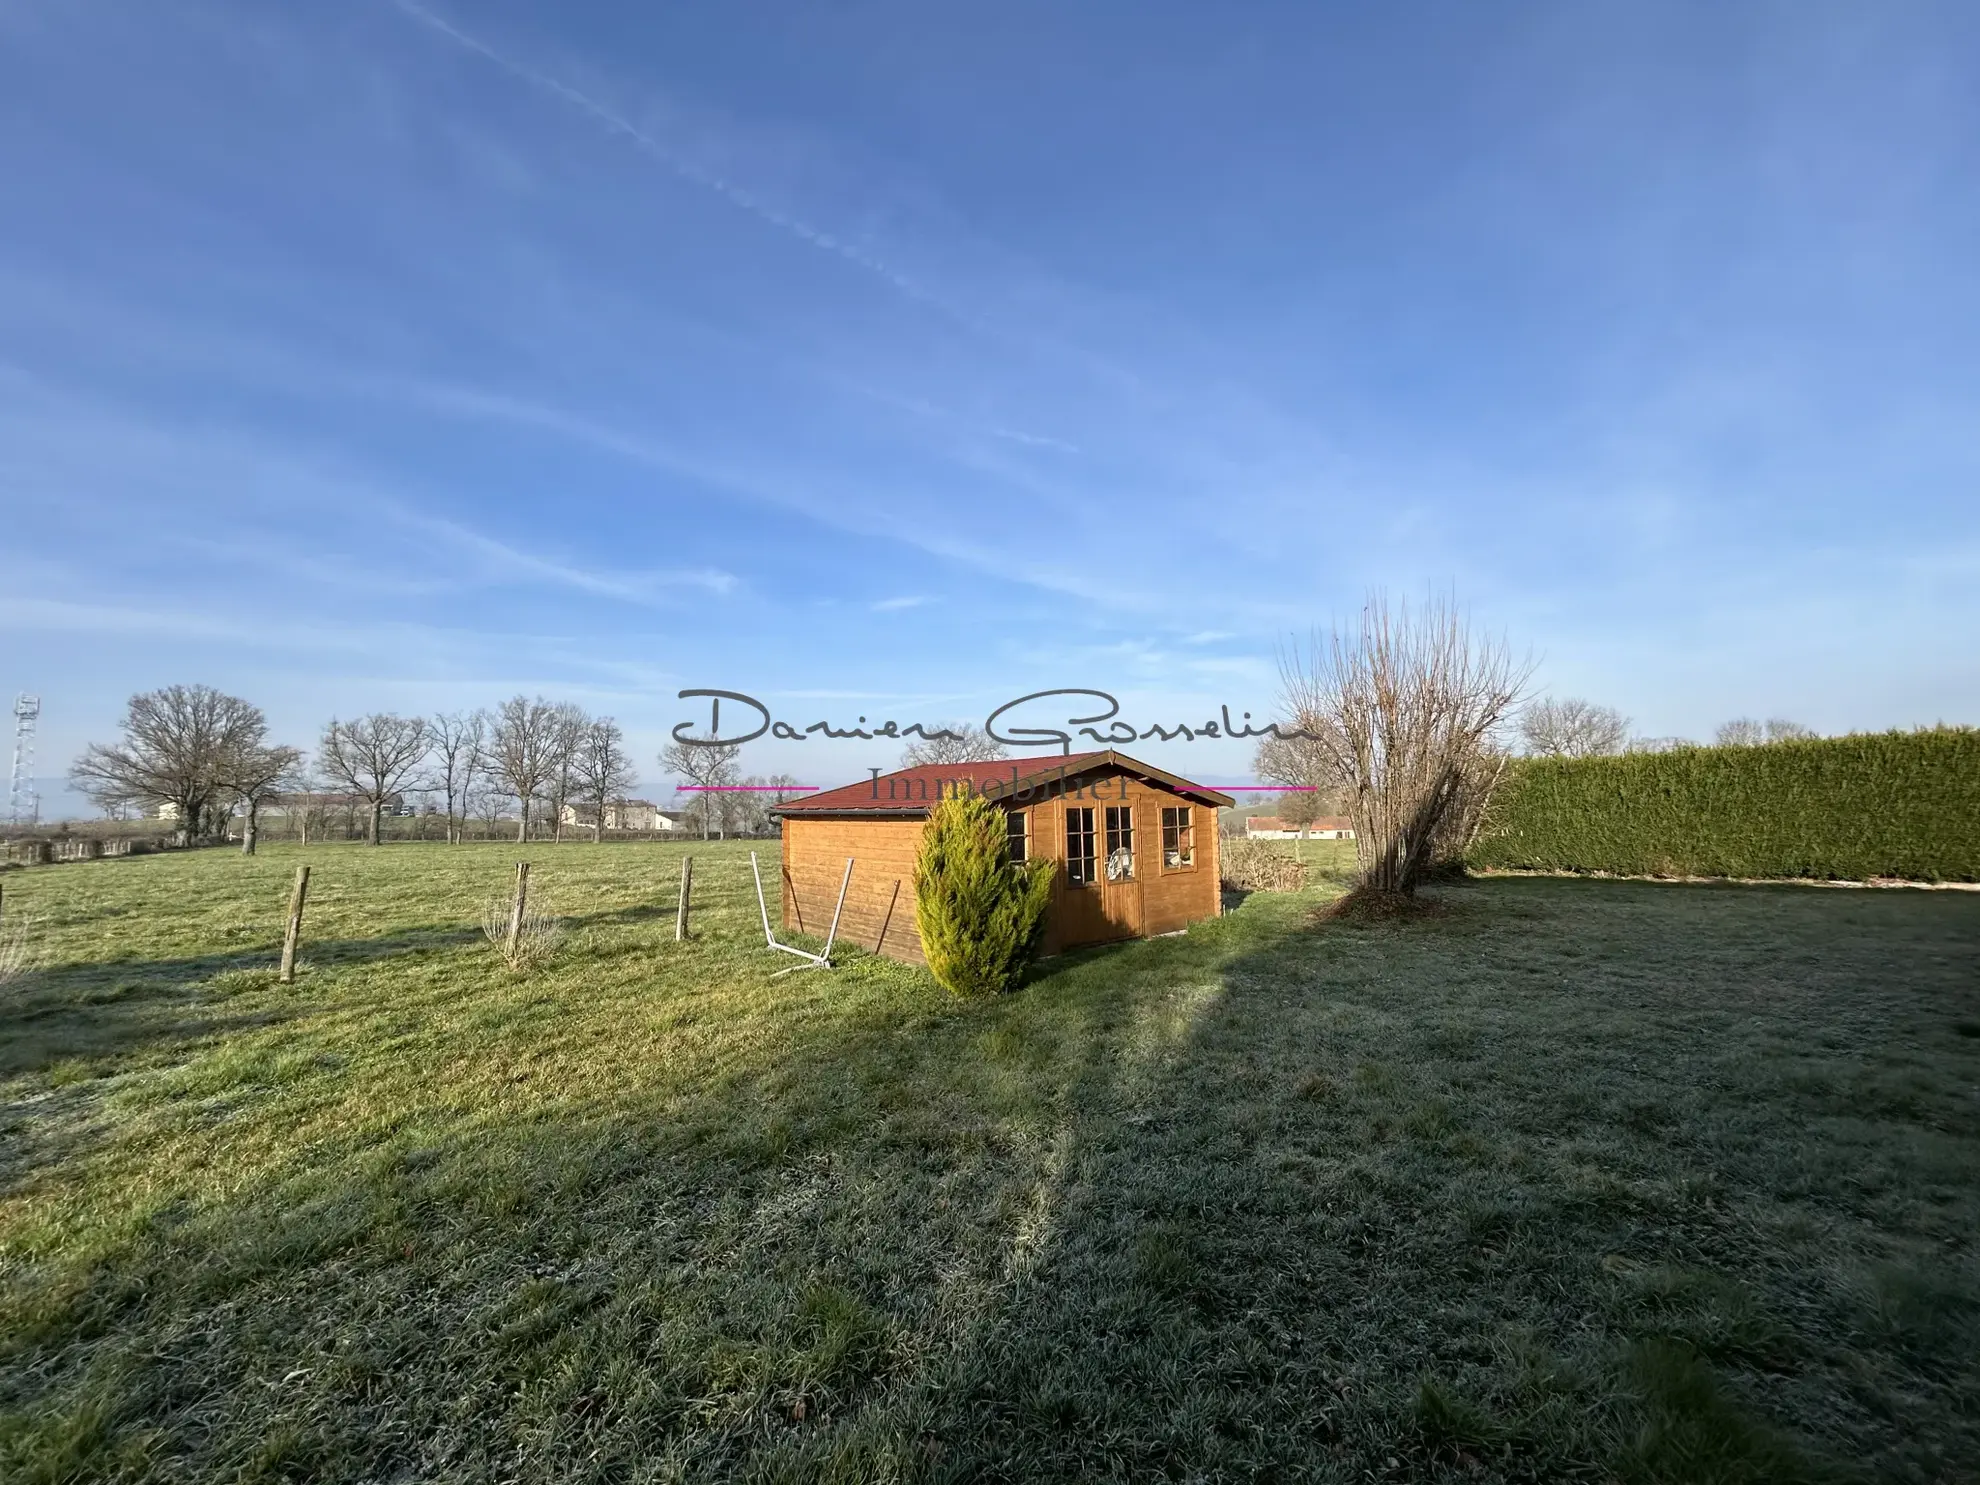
(981, 918)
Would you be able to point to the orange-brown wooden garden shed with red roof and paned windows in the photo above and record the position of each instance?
(1136, 848)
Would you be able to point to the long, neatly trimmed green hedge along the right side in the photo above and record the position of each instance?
(1878, 805)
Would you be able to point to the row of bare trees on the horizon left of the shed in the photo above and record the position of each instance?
(203, 759)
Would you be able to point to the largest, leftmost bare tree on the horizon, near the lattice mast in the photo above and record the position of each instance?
(173, 755)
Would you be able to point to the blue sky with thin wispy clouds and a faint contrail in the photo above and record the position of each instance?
(898, 359)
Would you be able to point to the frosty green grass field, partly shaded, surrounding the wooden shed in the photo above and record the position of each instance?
(1573, 1181)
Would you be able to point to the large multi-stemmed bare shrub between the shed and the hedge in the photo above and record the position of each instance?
(1411, 708)
